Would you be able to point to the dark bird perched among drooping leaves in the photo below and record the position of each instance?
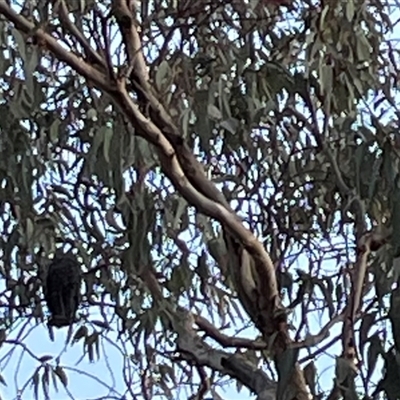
(62, 289)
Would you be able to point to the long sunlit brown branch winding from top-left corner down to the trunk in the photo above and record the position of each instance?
(169, 160)
